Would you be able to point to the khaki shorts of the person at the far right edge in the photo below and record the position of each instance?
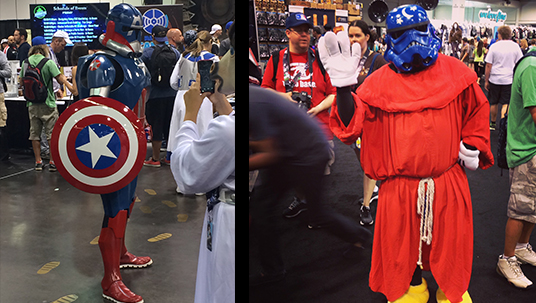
(521, 205)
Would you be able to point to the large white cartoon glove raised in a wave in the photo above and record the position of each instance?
(341, 61)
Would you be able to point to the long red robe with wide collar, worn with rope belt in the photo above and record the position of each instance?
(411, 127)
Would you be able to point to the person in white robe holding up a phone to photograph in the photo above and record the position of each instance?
(206, 163)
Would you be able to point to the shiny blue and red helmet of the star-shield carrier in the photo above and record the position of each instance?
(123, 29)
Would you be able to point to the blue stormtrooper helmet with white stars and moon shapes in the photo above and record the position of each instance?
(412, 44)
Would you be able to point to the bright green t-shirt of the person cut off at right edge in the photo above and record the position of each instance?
(521, 134)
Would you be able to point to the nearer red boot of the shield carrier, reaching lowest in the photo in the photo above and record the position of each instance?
(110, 243)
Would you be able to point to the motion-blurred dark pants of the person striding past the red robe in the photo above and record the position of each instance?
(266, 208)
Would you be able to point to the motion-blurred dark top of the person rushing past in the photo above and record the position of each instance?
(299, 137)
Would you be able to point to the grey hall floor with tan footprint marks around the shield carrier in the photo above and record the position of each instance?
(48, 230)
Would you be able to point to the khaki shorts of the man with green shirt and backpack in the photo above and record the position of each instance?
(41, 115)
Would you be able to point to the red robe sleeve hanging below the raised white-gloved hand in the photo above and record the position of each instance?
(347, 134)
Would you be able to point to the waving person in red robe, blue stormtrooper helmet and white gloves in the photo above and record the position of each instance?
(418, 138)
